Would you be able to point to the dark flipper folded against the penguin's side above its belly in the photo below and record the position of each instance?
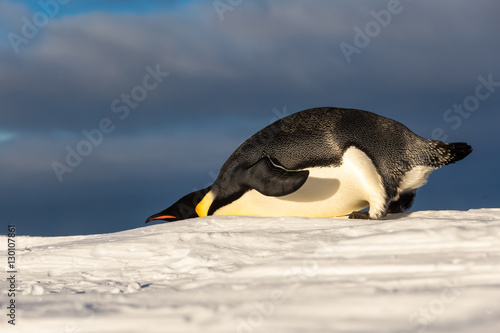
(272, 179)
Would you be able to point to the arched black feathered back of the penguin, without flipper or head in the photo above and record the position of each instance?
(320, 136)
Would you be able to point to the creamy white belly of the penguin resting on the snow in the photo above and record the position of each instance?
(328, 192)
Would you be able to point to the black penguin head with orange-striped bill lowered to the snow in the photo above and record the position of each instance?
(184, 208)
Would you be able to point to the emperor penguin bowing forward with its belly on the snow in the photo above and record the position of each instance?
(322, 162)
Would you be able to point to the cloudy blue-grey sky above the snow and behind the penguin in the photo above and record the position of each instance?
(112, 110)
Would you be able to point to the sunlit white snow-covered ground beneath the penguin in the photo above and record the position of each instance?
(428, 271)
